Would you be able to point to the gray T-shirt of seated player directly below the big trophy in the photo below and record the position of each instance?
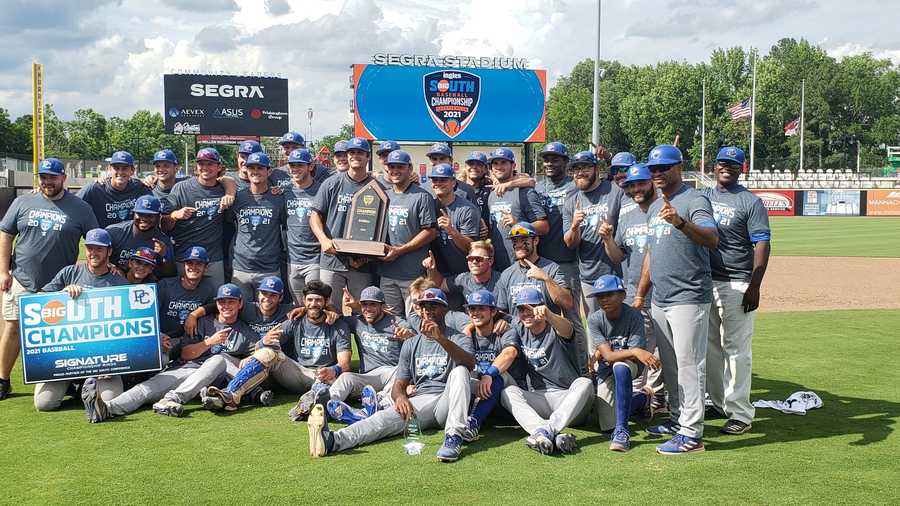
(375, 342)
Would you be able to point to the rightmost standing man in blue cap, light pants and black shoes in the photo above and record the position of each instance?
(738, 266)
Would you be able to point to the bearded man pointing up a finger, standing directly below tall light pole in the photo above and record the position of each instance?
(588, 217)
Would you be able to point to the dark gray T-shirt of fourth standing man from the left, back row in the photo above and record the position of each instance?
(205, 227)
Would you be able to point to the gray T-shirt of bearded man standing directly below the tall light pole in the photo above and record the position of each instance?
(599, 205)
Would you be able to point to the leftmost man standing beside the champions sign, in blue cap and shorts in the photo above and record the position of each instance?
(46, 228)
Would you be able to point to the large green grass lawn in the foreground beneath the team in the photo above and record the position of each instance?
(843, 453)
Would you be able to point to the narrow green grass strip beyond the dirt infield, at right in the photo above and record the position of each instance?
(828, 236)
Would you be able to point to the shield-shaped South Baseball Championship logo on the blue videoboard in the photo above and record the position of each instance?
(452, 99)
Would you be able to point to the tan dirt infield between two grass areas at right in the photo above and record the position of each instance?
(816, 283)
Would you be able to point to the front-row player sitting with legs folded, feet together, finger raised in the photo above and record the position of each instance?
(558, 394)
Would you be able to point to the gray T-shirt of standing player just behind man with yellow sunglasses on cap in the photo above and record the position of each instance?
(524, 204)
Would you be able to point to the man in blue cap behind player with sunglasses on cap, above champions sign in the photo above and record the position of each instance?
(143, 231)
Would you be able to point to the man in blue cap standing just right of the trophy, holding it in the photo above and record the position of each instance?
(411, 228)
